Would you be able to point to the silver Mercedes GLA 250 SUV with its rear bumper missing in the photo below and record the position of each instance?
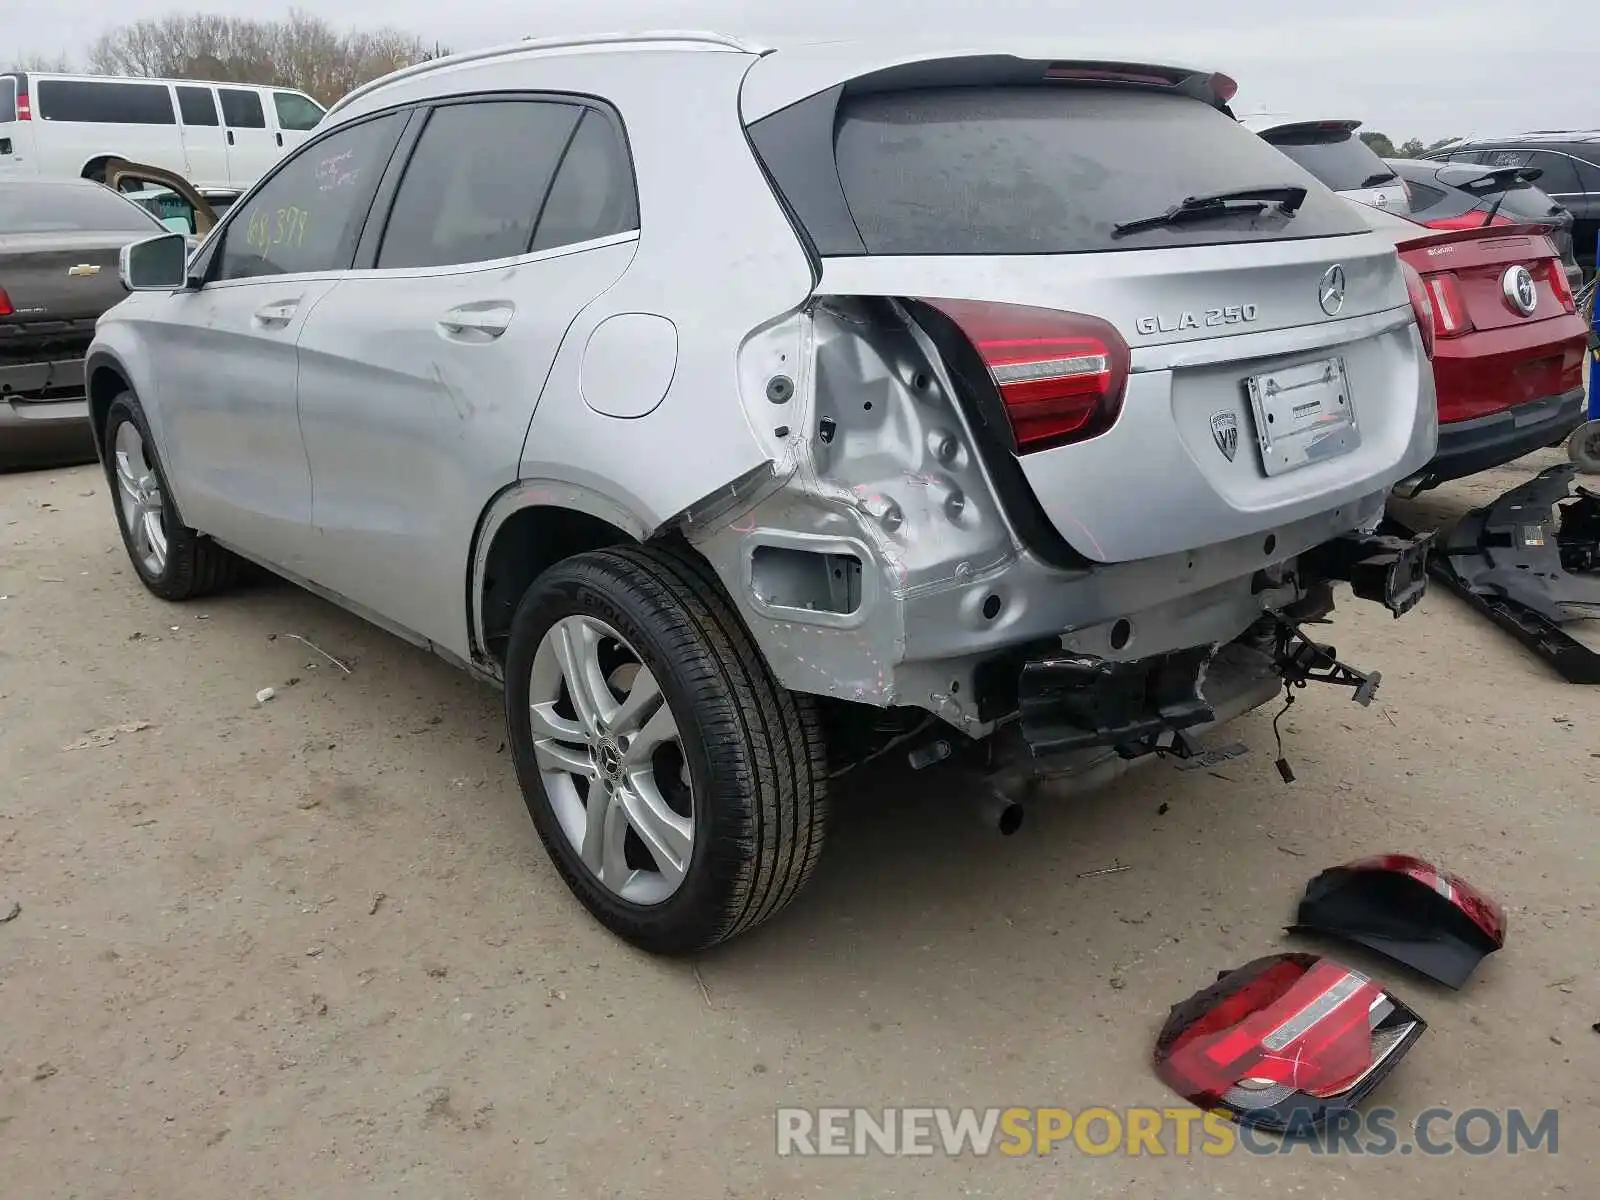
(750, 414)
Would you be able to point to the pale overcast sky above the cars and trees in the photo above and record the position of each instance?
(1406, 68)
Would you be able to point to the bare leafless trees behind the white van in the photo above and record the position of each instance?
(302, 50)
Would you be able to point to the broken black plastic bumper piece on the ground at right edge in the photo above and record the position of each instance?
(1534, 567)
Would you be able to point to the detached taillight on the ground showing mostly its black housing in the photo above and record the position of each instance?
(1409, 911)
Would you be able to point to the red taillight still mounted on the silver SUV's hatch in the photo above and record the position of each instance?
(1062, 375)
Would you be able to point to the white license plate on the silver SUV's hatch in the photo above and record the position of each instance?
(1303, 415)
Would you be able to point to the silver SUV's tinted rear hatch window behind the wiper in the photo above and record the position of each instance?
(1030, 170)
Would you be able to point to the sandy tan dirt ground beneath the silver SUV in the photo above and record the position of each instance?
(313, 948)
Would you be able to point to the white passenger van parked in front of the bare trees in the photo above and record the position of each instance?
(222, 137)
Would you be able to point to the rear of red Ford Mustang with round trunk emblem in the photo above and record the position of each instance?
(1508, 343)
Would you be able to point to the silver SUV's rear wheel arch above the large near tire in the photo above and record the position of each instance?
(526, 530)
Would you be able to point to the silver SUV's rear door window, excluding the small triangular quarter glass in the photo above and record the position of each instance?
(476, 183)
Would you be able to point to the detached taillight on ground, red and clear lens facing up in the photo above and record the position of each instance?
(1284, 1042)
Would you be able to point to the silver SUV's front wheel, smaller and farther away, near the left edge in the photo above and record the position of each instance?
(172, 561)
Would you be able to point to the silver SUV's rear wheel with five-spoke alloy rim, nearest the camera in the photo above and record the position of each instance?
(678, 788)
